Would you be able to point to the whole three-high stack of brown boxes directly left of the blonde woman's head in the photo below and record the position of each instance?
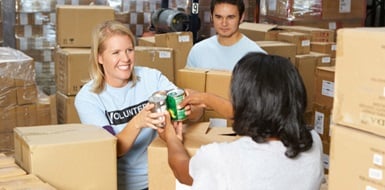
(74, 27)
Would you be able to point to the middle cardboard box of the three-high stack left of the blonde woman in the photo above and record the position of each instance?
(71, 69)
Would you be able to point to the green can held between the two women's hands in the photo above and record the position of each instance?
(174, 97)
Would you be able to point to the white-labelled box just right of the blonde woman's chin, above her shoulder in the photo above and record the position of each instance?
(160, 58)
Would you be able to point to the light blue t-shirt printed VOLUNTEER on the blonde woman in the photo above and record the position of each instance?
(116, 107)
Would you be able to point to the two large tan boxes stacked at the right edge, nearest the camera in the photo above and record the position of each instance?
(358, 132)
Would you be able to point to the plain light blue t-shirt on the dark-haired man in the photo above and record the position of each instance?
(210, 54)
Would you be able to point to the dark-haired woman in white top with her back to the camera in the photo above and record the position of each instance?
(275, 149)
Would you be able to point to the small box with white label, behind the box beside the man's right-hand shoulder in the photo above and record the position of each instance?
(301, 40)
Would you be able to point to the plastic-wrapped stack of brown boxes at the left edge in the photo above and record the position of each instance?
(20, 104)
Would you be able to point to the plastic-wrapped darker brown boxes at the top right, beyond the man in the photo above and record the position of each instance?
(328, 14)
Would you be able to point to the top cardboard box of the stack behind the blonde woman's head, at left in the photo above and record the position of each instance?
(75, 23)
